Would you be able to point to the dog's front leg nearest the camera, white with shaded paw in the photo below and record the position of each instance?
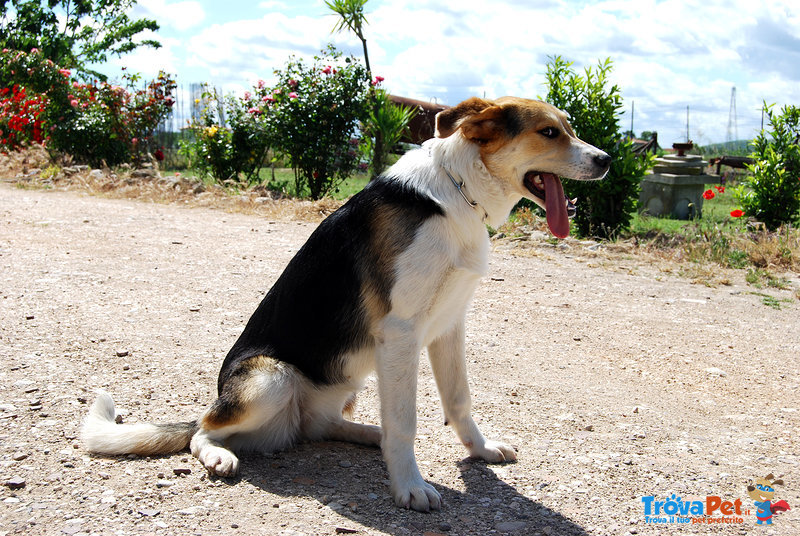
(397, 356)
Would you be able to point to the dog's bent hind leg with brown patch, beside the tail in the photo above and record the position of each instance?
(257, 410)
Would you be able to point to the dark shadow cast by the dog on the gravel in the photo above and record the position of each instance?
(352, 481)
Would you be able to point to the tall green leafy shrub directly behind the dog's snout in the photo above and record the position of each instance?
(605, 207)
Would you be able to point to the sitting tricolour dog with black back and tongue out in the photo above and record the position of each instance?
(389, 273)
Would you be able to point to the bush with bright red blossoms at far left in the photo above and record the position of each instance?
(93, 123)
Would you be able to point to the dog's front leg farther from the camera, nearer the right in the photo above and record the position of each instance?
(448, 362)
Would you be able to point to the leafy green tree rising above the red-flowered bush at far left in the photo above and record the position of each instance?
(73, 33)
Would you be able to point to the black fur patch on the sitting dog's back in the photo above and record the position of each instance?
(317, 311)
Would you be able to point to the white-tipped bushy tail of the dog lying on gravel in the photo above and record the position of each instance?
(102, 435)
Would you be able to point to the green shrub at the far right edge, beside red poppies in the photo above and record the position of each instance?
(771, 193)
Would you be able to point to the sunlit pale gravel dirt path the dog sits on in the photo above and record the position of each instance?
(614, 380)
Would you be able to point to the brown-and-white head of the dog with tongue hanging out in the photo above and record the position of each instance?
(528, 145)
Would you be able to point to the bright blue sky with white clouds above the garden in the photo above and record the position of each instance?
(667, 55)
